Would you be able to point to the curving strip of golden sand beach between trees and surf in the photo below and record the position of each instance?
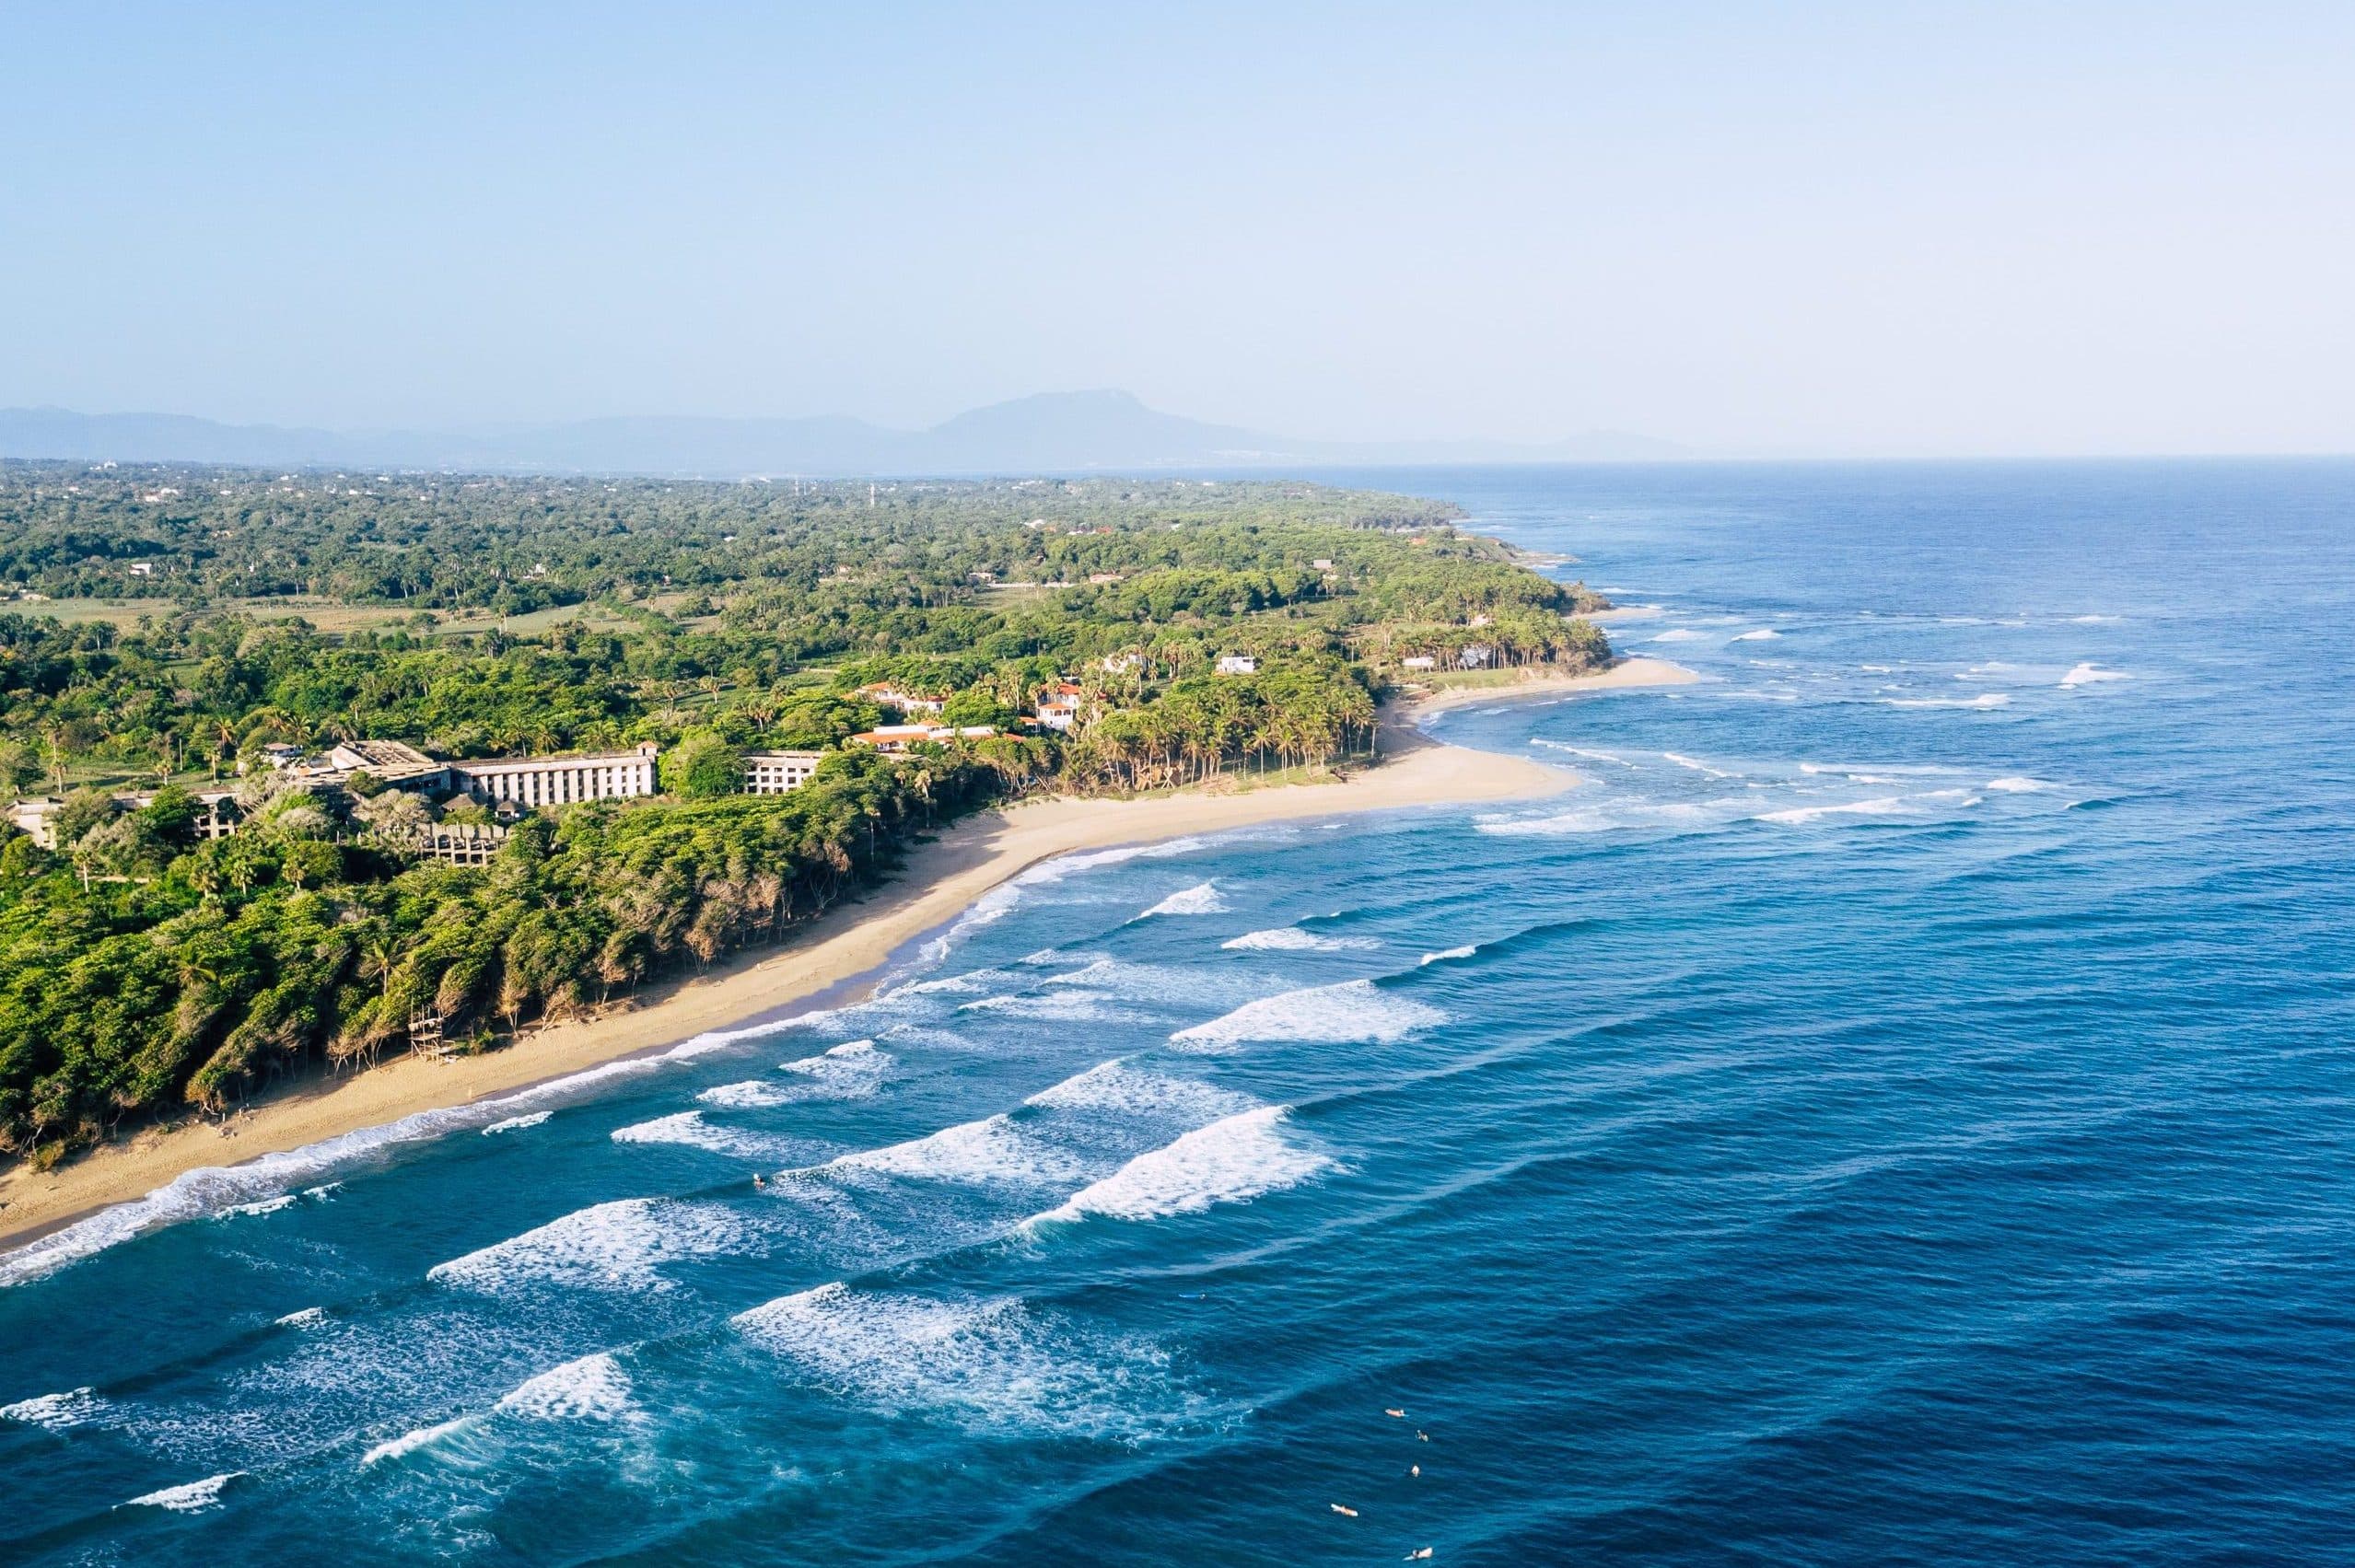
(847, 945)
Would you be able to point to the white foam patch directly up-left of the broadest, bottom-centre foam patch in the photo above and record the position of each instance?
(609, 1247)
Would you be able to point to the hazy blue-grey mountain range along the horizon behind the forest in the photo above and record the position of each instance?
(1047, 434)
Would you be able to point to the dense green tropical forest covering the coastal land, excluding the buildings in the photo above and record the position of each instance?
(161, 627)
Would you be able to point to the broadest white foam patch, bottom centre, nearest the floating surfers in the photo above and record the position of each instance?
(995, 1362)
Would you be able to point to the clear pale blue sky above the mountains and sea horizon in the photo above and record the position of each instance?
(1836, 230)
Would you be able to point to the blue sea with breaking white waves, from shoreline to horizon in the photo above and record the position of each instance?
(1897, 1112)
